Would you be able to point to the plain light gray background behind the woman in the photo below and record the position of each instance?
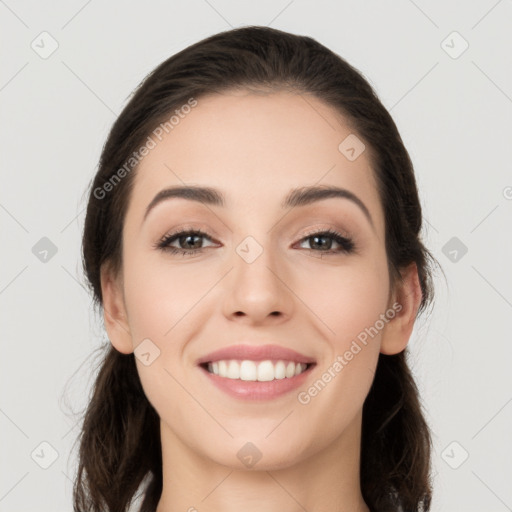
(453, 109)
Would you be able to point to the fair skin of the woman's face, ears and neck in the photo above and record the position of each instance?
(255, 148)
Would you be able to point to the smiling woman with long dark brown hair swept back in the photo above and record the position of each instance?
(253, 239)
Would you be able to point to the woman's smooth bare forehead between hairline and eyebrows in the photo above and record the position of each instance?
(256, 147)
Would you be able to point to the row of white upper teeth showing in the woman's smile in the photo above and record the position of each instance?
(254, 371)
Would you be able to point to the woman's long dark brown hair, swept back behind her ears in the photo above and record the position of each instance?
(120, 439)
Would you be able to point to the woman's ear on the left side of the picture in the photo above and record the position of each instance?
(114, 311)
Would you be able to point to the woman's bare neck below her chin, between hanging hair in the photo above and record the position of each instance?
(325, 481)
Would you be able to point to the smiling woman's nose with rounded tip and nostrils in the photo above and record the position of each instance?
(258, 291)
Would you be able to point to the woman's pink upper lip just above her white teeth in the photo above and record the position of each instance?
(255, 353)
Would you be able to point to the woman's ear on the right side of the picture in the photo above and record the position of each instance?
(405, 302)
